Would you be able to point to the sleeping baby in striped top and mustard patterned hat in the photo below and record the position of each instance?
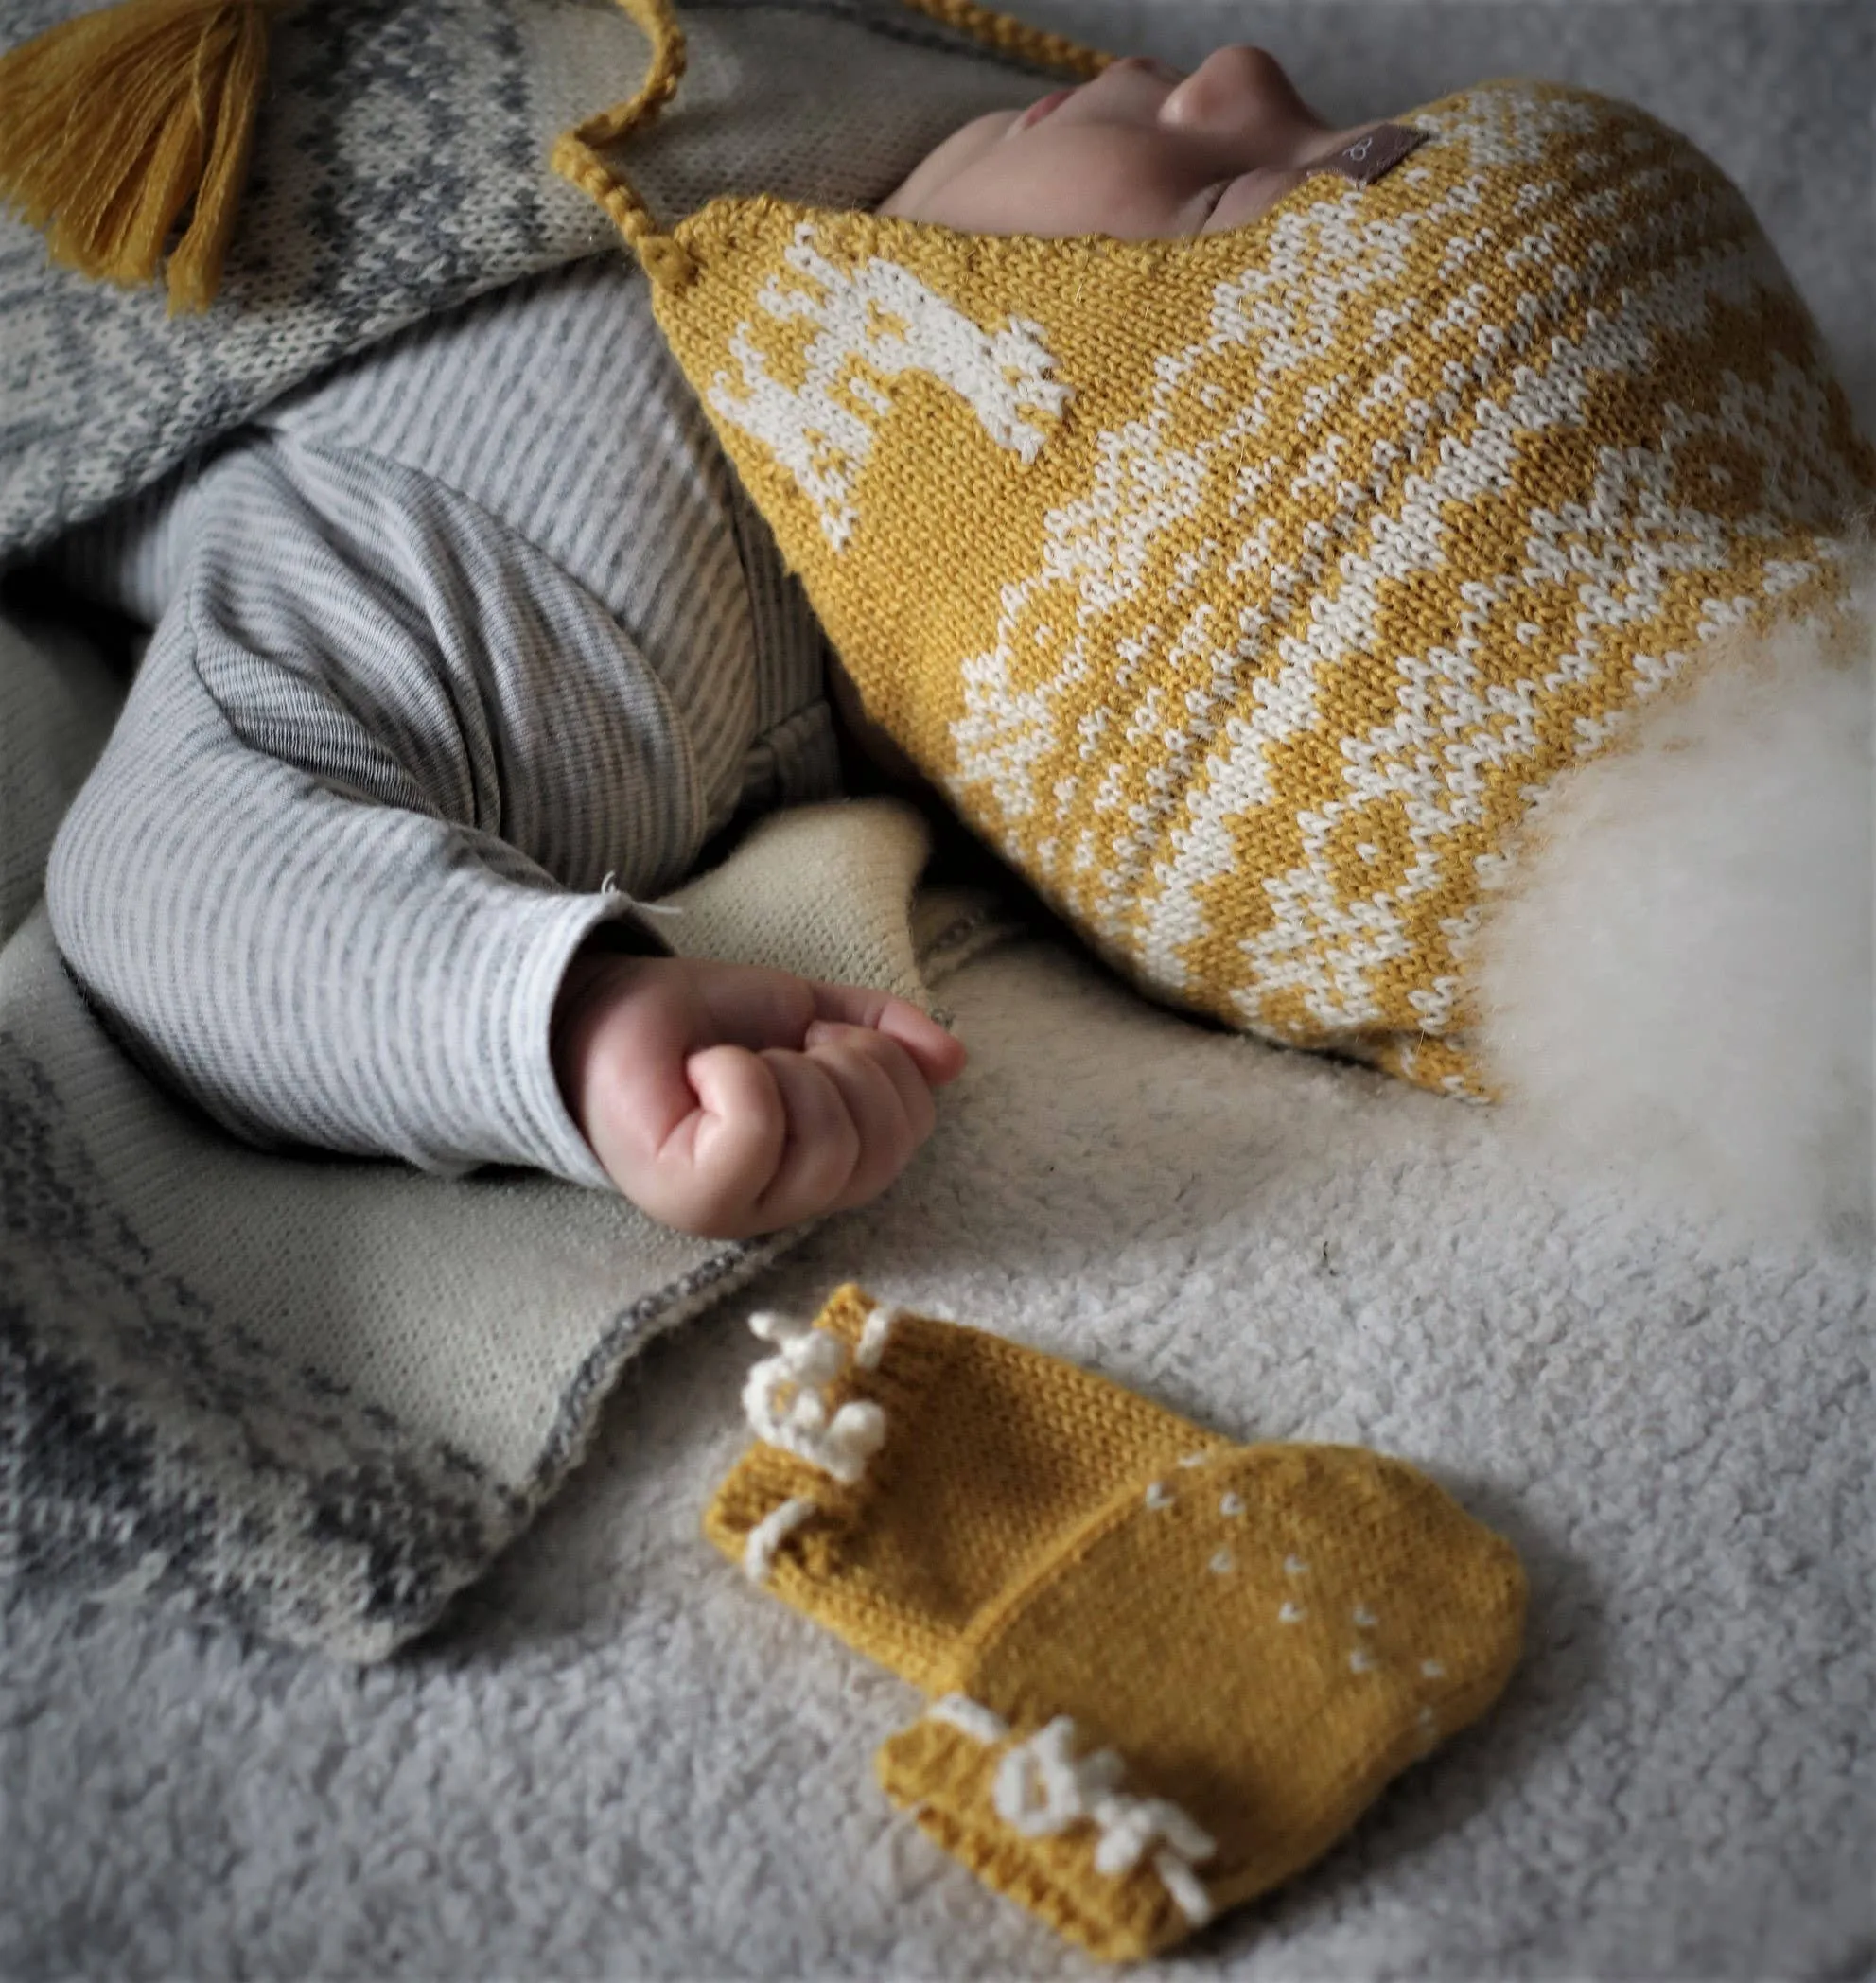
(1236, 519)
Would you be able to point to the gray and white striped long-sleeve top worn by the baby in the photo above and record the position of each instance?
(455, 653)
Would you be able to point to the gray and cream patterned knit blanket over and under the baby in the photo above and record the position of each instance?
(314, 1397)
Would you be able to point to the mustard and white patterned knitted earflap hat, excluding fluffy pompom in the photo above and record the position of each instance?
(1248, 590)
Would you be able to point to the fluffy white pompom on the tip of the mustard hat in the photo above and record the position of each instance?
(1679, 983)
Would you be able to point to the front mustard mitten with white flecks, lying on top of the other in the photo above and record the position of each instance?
(1207, 1685)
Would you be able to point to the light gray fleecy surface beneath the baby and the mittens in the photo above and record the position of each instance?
(620, 1762)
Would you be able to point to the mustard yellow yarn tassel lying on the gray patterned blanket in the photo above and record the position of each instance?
(112, 124)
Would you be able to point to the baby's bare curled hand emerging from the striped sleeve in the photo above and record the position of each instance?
(733, 1102)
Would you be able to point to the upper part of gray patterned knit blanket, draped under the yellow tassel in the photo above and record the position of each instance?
(402, 168)
